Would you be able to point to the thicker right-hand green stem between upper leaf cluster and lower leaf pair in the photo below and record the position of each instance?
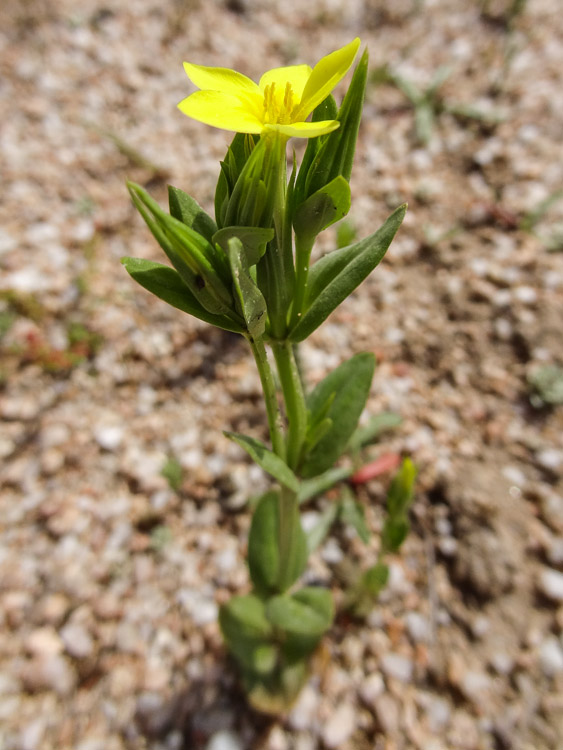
(294, 398)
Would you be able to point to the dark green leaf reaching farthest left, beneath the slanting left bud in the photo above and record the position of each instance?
(166, 283)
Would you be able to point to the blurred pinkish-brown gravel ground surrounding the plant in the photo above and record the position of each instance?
(110, 574)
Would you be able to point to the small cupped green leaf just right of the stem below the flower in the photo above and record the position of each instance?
(328, 205)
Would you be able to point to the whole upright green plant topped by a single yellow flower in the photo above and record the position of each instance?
(248, 270)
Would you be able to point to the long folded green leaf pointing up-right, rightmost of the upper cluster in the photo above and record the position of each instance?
(336, 275)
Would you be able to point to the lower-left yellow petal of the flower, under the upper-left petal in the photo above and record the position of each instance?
(221, 111)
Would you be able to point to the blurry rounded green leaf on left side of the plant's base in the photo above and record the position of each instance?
(247, 632)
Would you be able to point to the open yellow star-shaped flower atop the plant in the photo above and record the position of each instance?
(280, 102)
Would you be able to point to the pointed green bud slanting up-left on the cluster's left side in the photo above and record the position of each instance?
(202, 267)
